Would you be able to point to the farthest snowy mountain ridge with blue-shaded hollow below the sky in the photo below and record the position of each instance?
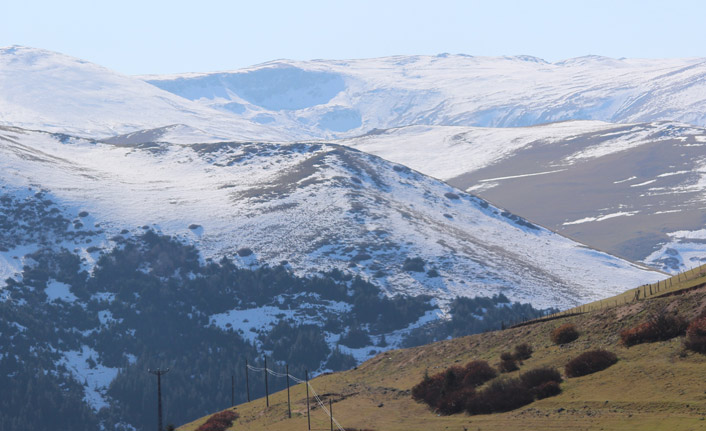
(345, 98)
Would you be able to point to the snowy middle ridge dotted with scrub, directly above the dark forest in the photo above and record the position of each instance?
(320, 207)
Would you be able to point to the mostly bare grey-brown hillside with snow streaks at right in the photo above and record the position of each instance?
(635, 190)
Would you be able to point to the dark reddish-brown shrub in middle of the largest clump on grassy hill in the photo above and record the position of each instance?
(500, 396)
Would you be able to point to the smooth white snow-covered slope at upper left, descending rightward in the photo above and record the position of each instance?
(49, 91)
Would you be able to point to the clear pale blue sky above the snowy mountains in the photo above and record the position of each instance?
(156, 37)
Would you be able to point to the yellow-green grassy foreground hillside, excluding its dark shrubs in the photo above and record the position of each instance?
(653, 386)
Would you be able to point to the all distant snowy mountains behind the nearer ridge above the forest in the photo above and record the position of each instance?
(424, 112)
